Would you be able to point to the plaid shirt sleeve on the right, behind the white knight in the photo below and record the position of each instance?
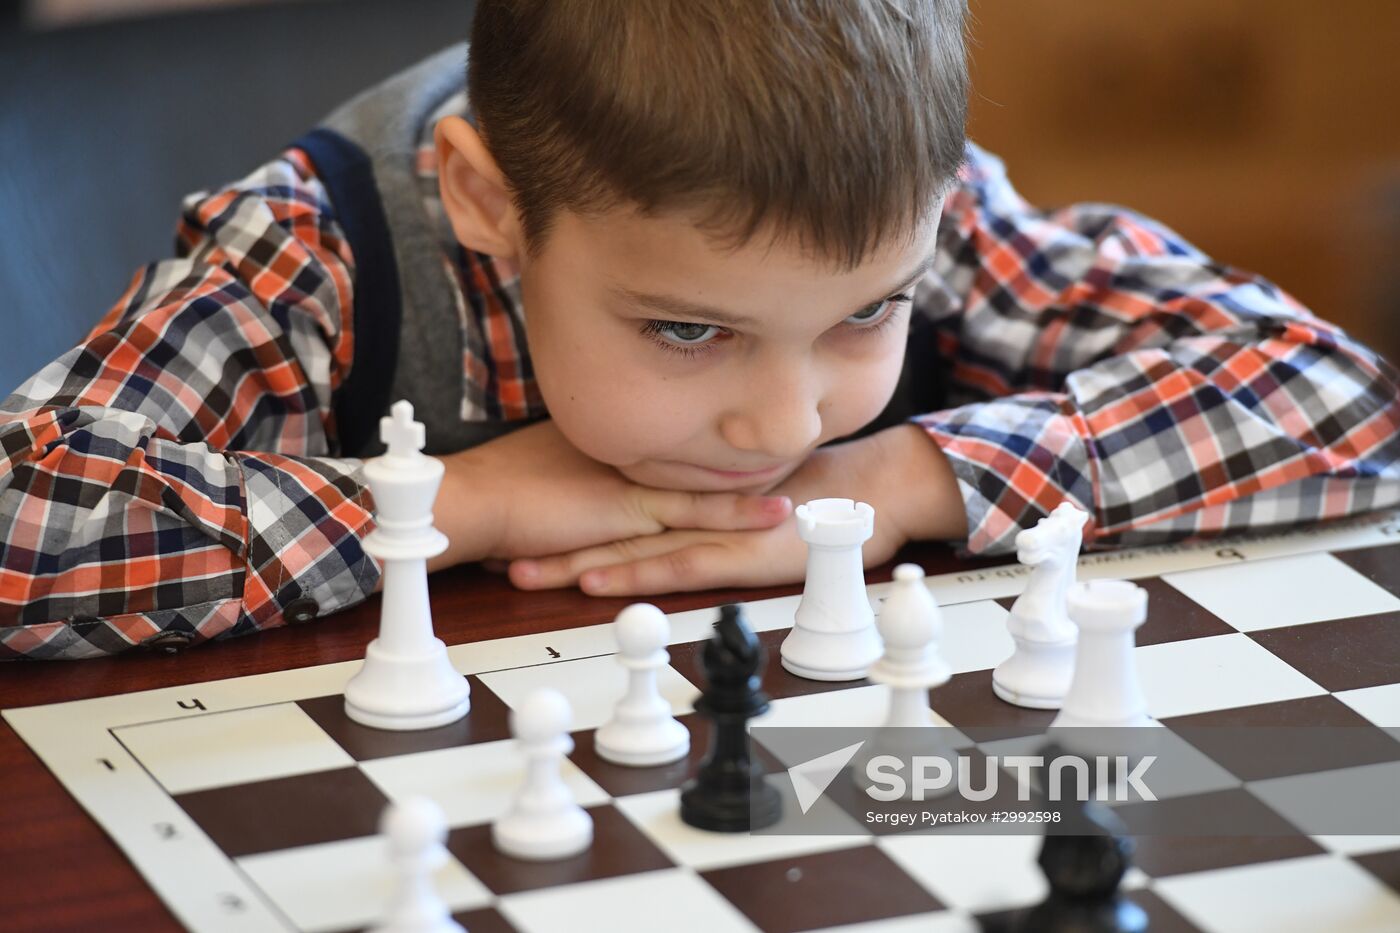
(1097, 358)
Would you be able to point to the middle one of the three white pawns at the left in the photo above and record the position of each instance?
(544, 820)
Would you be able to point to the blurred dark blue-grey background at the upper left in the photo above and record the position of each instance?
(106, 127)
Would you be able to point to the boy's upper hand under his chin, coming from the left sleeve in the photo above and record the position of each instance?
(534, 494)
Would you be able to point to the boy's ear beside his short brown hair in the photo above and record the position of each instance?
(474, 190)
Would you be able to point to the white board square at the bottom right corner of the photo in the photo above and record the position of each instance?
(1291, 896)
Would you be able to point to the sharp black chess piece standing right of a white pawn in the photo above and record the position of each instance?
(729, 792)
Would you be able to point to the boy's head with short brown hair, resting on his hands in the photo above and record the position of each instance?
(778, 162)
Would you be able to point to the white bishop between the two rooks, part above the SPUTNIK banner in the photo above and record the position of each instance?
(911, 624)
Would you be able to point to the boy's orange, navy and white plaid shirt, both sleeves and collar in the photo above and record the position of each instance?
(176, 477)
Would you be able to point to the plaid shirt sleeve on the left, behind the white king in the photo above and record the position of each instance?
(171, 477)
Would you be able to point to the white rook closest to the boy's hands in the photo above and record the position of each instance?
(834, 635)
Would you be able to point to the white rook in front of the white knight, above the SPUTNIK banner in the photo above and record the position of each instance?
(1105, 691)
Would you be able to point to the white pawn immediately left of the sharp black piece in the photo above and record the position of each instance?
(642, 732)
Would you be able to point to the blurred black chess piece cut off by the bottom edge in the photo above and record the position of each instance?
(1084, 858)
